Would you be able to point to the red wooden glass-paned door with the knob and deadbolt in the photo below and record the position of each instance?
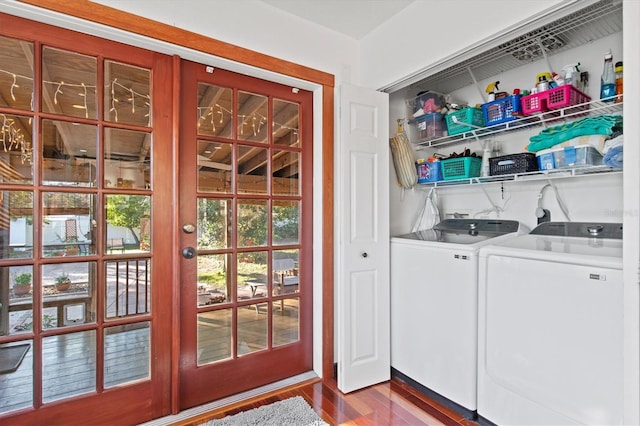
(245, 217)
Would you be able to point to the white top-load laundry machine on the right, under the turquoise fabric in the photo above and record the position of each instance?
(550, 349)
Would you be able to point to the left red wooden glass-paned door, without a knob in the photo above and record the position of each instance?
(85, 214)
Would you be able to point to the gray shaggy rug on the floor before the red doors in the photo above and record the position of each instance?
(290, 412)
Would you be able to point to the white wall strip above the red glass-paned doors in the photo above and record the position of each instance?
(257, 26)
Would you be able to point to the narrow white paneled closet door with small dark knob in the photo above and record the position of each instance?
(362, 287)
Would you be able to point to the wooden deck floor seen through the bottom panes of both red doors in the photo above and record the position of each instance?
(69, 360)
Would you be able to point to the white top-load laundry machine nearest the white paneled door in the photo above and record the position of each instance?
(434, 299)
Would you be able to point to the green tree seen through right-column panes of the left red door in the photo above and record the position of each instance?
(127, 210)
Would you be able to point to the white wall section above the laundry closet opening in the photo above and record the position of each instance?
(427, 31)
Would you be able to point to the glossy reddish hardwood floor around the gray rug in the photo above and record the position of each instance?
(389, 403)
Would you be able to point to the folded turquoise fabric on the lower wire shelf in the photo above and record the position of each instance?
(551, 136)
